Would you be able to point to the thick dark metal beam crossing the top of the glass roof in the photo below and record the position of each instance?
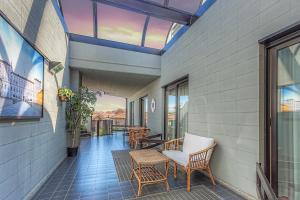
(151, 9)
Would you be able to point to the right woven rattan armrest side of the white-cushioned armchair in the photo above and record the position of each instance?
(199, 159)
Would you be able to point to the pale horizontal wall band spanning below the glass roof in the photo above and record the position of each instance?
(93, 57)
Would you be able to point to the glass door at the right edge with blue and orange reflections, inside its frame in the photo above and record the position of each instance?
(284, 98)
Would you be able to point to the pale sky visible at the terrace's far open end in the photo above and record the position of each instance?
(109, 103)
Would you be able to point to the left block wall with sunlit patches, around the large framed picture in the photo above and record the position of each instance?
(30, 150)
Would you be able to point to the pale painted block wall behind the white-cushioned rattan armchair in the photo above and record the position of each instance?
(220, 52)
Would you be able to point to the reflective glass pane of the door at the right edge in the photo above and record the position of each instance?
(288, 123)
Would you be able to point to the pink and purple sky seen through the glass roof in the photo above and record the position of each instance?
(116, 24)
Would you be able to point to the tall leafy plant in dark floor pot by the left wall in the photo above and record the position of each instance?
(79, 107)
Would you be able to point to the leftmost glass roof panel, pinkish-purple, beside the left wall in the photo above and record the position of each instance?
(79, 16)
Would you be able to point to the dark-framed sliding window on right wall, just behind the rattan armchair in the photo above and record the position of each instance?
(176, 109)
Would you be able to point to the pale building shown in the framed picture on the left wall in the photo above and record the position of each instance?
(15, 86)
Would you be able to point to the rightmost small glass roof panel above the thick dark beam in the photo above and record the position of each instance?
(190, 6)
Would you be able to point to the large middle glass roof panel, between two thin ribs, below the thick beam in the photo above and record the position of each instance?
(120, 25)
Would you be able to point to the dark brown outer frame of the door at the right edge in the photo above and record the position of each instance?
(268, 97)
